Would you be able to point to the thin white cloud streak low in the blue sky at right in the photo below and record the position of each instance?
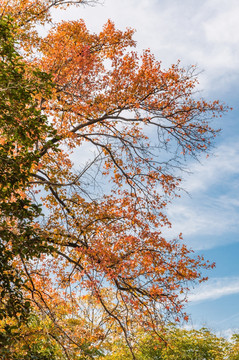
(215, 289)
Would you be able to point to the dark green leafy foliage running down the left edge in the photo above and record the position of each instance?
(21, 125)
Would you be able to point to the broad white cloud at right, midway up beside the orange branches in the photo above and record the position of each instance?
(212, 209)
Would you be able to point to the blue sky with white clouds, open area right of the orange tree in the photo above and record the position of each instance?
(203, 33)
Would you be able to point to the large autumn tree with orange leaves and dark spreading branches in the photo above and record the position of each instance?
(92, 138)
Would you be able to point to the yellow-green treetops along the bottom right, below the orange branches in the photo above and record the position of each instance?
(178, 344)
